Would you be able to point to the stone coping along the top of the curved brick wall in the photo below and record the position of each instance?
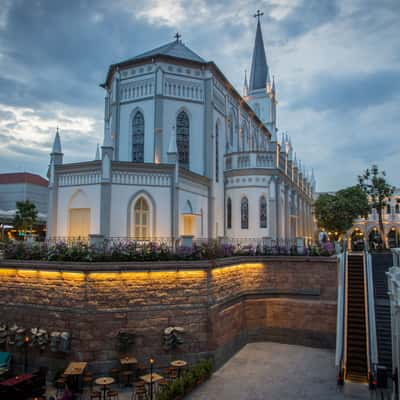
(120, 266)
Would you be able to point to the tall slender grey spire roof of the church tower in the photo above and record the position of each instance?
(259, 66)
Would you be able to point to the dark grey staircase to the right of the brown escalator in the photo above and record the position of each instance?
(381, 262)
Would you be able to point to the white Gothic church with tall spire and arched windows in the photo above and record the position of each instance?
(184, 154)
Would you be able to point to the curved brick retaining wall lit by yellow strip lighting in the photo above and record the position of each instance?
(221, 304)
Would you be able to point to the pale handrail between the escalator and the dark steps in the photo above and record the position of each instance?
(370, 301)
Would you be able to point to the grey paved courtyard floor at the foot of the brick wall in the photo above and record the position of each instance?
(276, 371)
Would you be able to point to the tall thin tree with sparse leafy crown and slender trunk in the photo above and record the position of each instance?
(374, 184)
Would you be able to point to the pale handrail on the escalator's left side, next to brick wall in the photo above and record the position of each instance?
(340, 319)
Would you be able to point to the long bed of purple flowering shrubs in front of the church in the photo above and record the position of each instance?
(128, 250)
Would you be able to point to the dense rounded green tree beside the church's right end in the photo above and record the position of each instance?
(337, 212)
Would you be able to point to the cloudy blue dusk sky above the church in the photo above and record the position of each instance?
(336, 65)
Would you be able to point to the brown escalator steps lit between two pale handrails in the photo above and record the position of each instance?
(356, 345)
